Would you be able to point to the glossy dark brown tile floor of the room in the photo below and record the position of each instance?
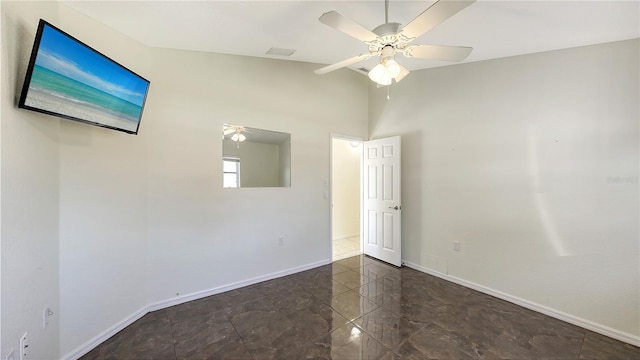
(356, 308)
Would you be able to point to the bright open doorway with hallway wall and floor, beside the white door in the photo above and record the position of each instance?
(346, 164)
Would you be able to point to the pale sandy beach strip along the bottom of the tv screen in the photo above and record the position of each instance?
(47, 101)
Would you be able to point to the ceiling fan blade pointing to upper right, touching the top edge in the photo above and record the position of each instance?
(433, 16)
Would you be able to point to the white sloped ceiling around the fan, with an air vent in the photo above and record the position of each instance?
(494, 29)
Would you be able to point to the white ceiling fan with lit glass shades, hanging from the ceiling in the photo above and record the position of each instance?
(389, 39)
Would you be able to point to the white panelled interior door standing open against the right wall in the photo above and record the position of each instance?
(381, 205)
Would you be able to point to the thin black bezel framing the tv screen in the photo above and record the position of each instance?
(27, 81)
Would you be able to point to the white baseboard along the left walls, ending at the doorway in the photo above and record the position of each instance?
(91, 344)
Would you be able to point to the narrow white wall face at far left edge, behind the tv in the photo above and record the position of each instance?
(29, 192)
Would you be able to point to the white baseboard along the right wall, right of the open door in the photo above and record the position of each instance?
(589, 325)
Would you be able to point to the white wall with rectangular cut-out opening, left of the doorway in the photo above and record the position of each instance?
(202, 236)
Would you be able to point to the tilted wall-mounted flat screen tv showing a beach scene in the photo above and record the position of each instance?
(69, 79)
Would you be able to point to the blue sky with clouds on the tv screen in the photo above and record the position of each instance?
(65, 56)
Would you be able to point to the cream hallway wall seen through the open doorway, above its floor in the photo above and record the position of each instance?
(345, 190)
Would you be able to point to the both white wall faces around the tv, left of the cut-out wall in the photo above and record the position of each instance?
(74, 199)
